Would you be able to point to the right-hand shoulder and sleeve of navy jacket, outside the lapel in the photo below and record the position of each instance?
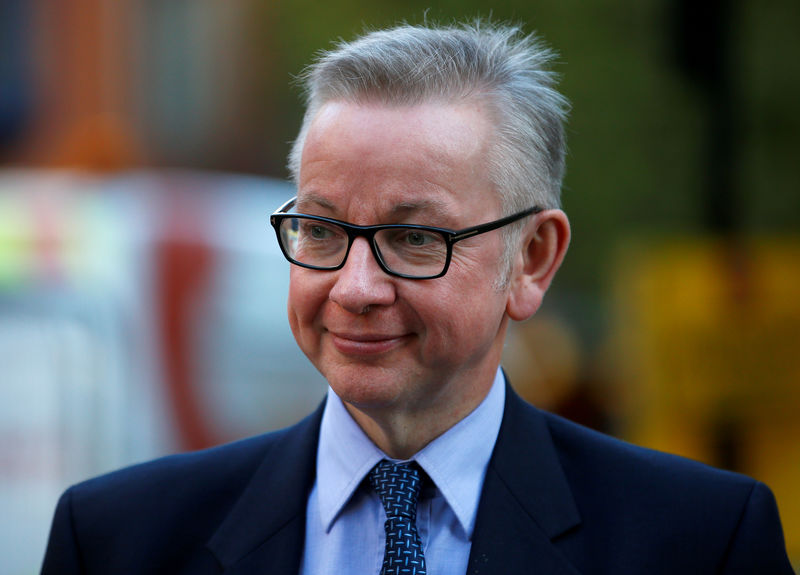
(669, 510)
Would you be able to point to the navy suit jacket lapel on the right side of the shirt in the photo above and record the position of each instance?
(526, 502)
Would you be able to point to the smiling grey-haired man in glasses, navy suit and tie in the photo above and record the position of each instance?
(427, 217)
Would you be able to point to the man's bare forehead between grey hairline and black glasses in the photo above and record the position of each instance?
(431, 156)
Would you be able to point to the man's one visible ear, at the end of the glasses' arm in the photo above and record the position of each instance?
(543, 246)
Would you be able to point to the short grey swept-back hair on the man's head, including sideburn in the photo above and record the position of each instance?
(495, 64)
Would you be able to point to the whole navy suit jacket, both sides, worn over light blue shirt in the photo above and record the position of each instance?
(558, 499)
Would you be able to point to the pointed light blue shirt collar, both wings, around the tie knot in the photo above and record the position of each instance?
(456, 461)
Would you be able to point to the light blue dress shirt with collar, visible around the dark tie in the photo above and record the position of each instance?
(344, 519)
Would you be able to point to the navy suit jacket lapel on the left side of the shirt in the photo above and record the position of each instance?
(265, 531)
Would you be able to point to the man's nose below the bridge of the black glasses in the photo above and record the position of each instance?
(361, 284)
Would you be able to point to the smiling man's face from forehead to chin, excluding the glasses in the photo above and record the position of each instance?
(384, 343)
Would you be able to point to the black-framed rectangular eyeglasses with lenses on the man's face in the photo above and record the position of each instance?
(402, 250)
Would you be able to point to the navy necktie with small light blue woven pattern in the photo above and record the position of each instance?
(398, 487)
